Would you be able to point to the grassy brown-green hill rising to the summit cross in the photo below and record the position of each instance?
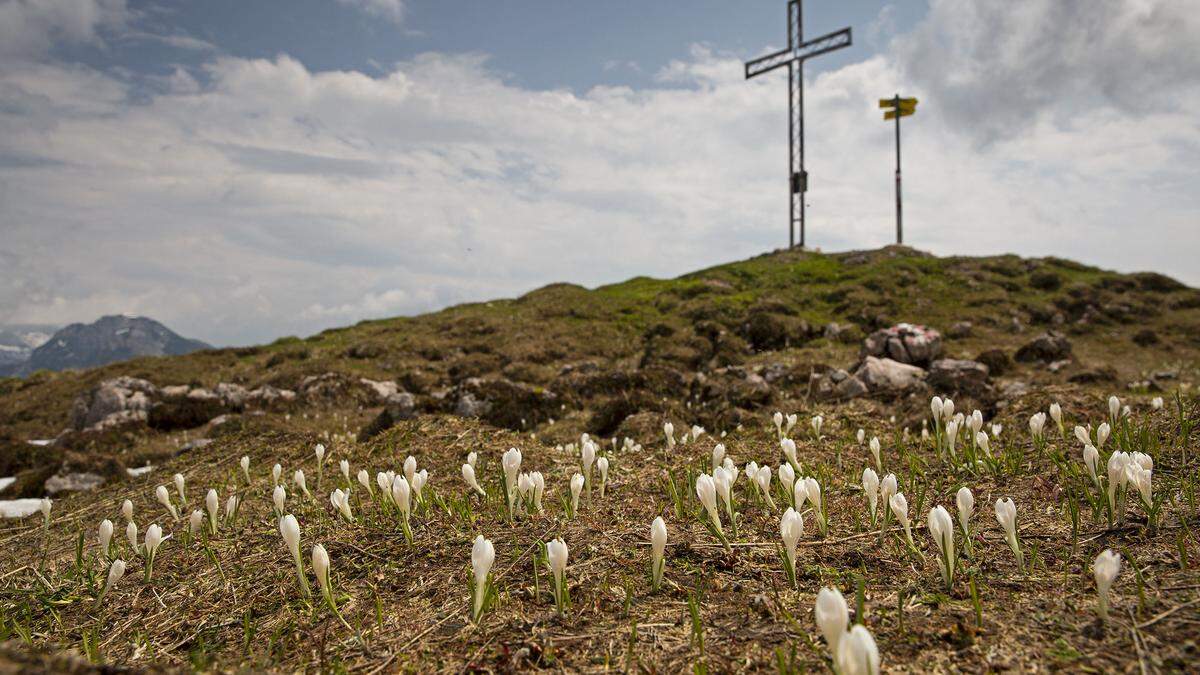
(619, 361)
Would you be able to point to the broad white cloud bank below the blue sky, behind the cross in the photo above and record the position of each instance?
(266, 199)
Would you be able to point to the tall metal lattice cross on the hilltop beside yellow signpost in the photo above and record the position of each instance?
(794, 57)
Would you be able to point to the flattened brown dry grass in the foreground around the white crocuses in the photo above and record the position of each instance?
(409, 605)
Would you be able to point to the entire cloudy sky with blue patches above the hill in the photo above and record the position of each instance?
(243, 170)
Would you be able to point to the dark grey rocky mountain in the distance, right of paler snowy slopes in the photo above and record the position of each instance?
(110, 339)
